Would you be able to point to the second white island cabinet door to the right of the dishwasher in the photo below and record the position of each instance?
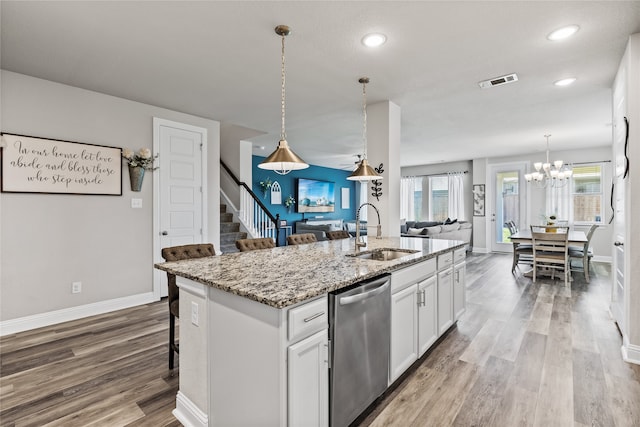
(427, 314)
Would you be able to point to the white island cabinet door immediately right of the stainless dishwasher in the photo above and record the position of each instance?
(404, 325)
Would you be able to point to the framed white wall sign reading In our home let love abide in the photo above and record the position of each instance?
(38, 165)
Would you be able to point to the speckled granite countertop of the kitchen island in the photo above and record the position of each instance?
(287, 275)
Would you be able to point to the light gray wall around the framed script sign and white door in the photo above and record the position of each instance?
(48, 241)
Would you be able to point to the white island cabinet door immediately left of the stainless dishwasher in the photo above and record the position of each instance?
(309, 381)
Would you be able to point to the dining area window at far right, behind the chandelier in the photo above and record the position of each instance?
(587, 195)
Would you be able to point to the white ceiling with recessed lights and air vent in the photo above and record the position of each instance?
(221, 60)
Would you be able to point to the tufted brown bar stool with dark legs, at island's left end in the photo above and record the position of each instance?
(179, 253)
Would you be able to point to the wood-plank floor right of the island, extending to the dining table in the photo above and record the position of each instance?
(523, 354)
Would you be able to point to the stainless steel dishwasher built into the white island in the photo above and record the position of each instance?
(359, 332)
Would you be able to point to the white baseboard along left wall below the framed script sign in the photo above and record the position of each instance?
(40, 320)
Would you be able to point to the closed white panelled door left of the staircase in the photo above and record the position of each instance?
(180, 193)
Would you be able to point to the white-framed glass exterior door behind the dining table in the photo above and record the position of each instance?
(508, 203)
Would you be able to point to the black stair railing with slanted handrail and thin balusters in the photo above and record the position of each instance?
(255, 216)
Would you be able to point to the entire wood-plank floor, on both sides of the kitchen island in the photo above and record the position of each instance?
(523, 354)
